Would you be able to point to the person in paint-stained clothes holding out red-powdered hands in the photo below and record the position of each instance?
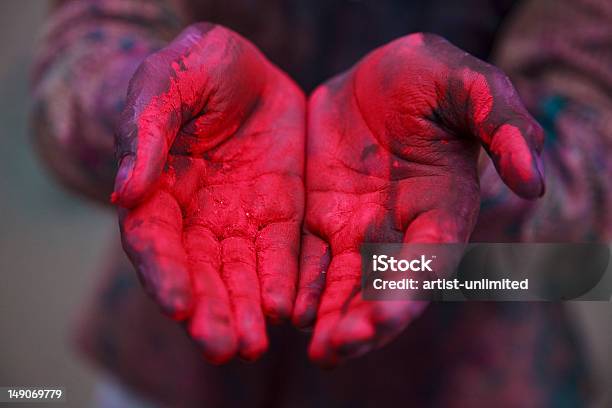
(368, 140)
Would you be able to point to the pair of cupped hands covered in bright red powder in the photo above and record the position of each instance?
(211, 186)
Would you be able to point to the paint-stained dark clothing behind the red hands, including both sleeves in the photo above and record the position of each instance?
(455, 354)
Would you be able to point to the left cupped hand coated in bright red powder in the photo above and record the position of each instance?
(210, 184)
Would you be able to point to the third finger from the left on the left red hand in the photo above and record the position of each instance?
(239, 272)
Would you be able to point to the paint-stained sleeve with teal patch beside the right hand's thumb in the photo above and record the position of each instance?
(559, 56)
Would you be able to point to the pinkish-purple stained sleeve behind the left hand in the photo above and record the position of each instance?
(89, 50)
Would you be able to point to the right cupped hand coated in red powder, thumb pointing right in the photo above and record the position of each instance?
(392, 152)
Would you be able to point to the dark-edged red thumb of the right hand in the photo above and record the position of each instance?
(493, 112)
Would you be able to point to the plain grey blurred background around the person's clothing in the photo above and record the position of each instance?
(52, 244)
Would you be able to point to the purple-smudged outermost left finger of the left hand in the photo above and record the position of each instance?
(152, 237)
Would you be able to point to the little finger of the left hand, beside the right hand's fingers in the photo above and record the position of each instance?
(277, 251)
